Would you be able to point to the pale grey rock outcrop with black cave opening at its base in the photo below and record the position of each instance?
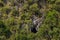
(37, 23)
